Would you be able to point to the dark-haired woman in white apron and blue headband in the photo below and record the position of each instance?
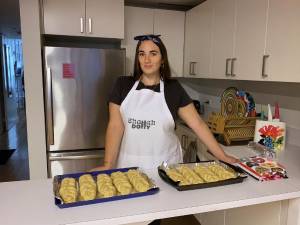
(142, 109)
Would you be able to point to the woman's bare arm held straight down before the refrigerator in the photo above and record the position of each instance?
(114, 134)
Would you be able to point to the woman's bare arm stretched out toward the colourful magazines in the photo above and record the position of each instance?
(190, 116)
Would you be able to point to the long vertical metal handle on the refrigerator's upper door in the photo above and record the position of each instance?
(50, 132)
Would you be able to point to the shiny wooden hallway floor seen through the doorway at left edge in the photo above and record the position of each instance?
(17, 167)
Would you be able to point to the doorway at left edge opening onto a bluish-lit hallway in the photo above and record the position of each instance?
(13, 131)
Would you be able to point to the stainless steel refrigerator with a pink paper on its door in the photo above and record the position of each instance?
(77, 83)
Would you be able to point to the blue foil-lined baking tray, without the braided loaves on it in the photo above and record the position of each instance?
(59, 202)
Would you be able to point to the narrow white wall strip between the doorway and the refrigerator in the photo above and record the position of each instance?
(30, 26)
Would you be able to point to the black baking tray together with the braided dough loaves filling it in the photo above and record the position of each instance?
(208, 178)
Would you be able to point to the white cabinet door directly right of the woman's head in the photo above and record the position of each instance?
(170, 24)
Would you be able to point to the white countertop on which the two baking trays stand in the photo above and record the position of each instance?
(32, 202)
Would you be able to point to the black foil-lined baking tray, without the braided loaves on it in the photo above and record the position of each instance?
(241, 175)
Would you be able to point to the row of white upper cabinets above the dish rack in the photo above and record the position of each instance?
(250, 40)
